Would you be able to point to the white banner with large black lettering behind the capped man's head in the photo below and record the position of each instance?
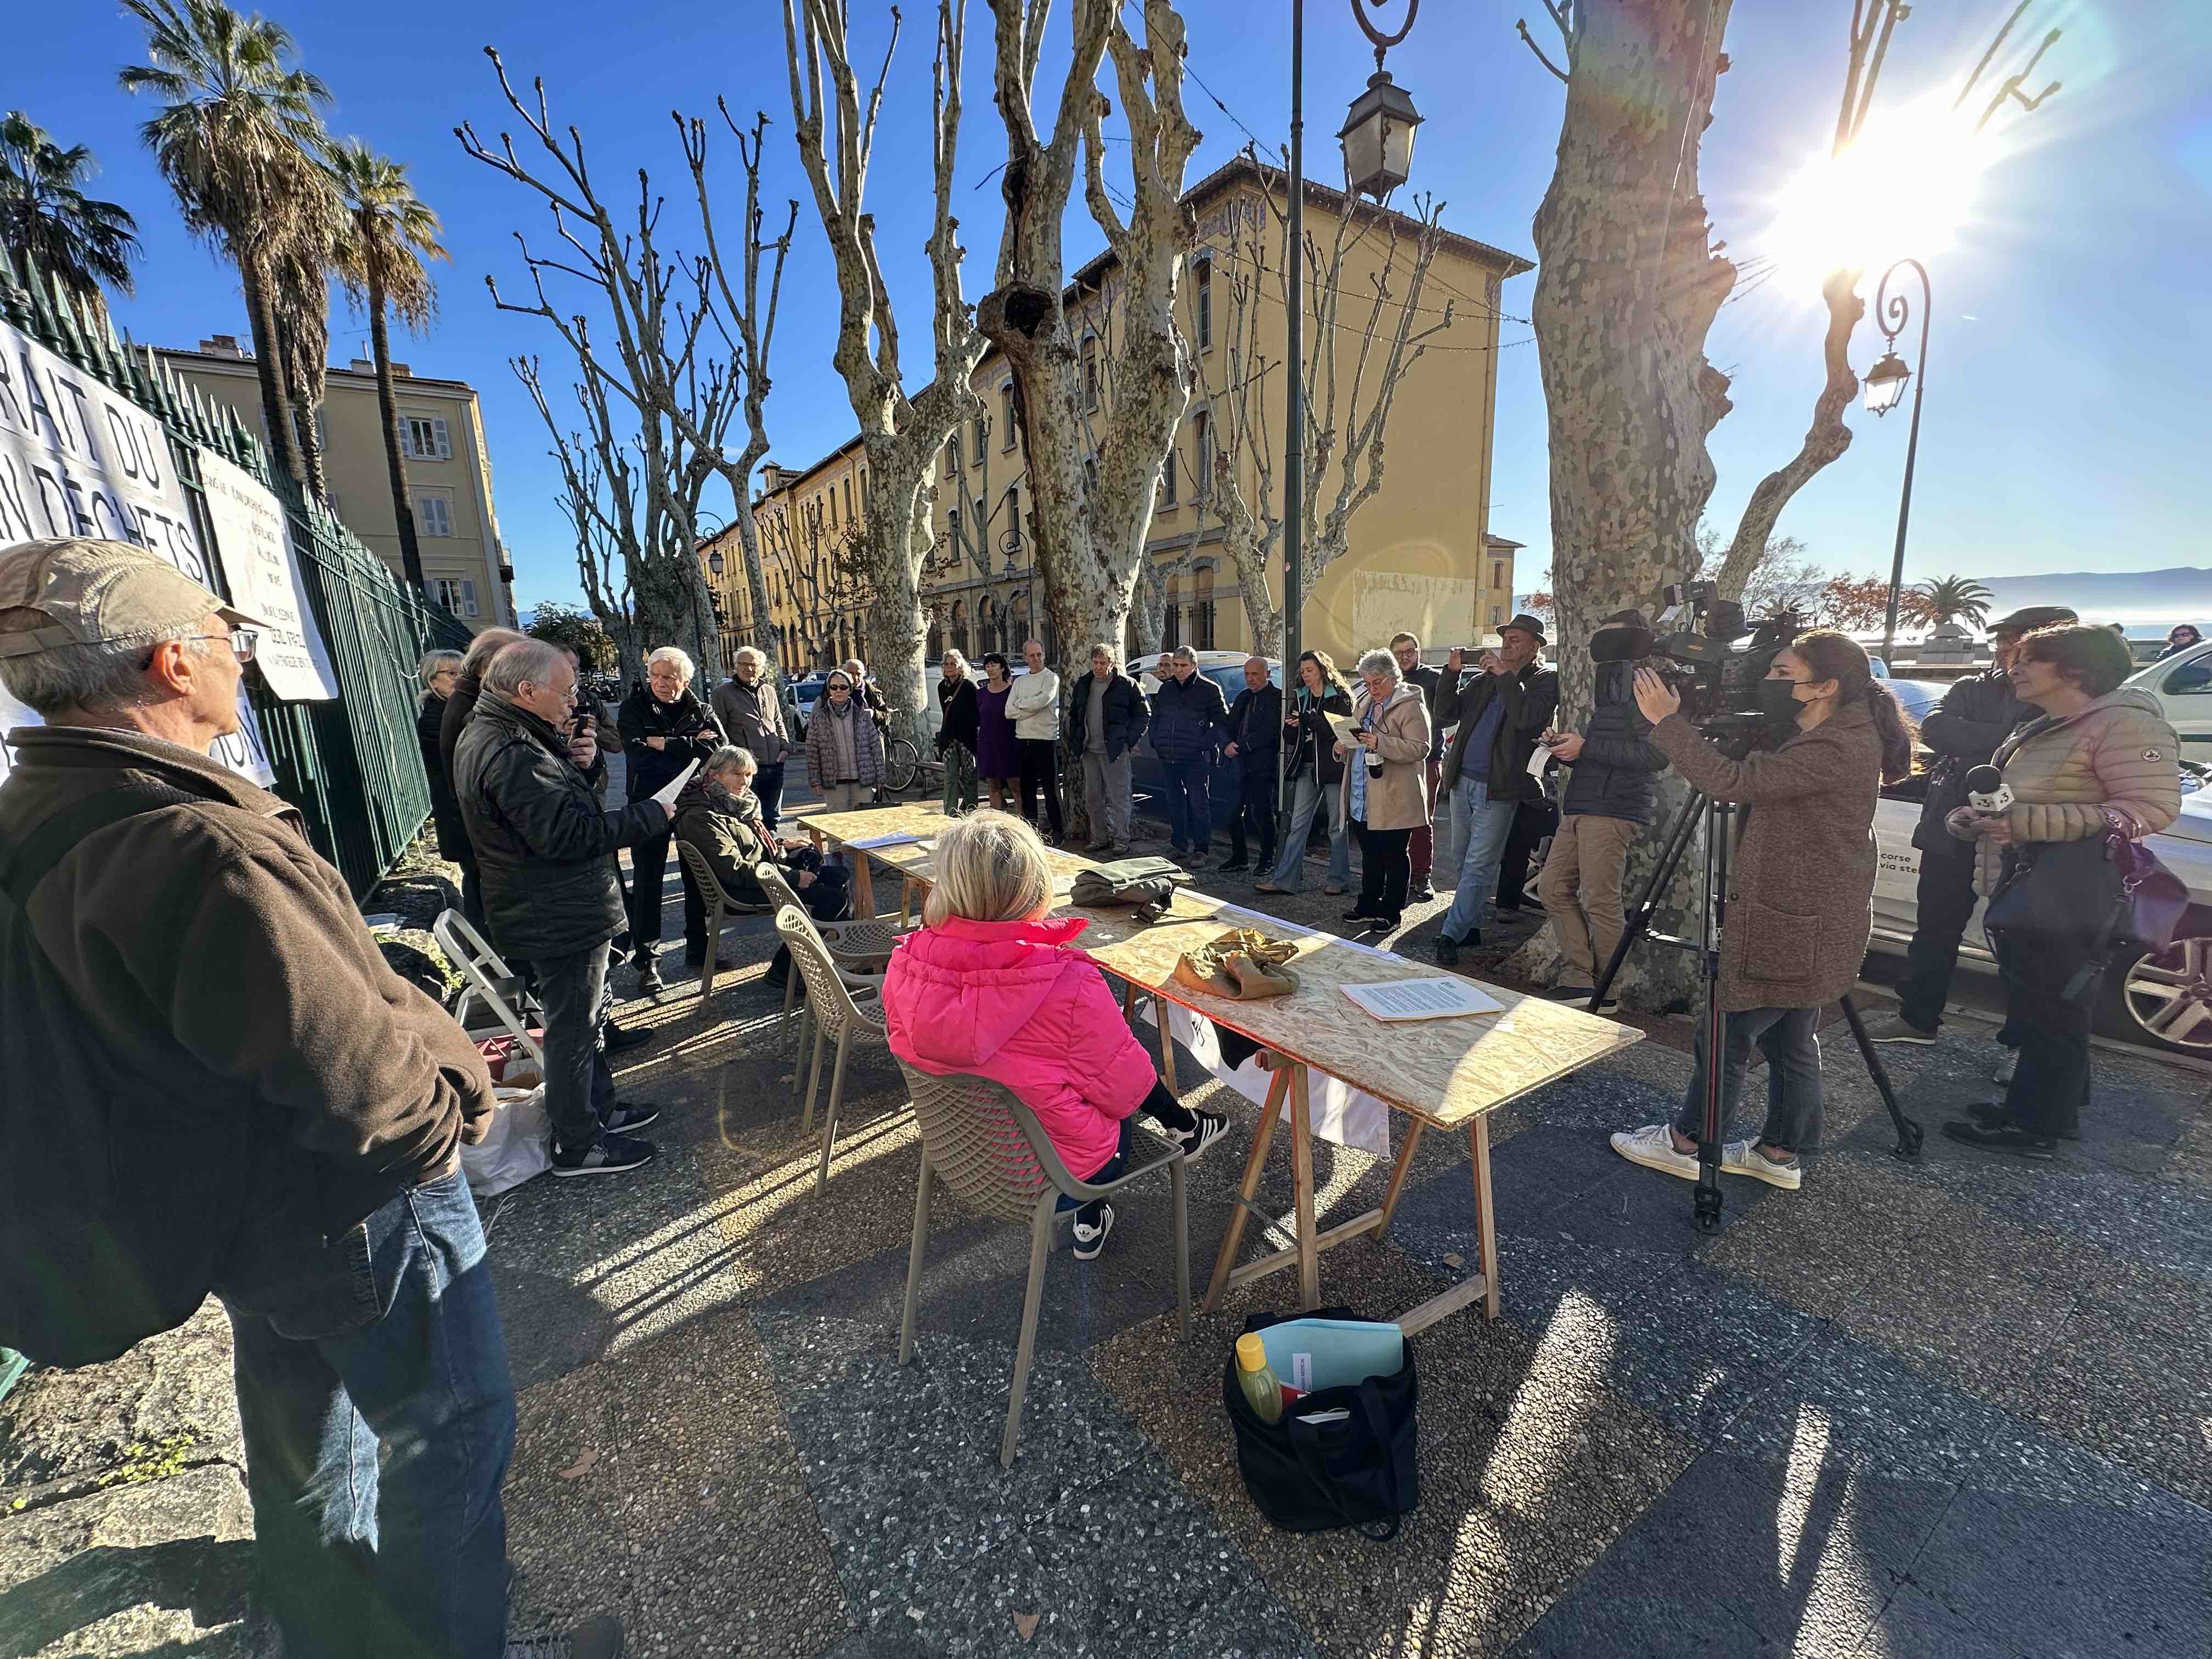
(81, 459)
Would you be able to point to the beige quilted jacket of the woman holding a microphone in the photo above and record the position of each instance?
(2114, 755)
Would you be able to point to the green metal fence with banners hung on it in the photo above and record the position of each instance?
(351, 766)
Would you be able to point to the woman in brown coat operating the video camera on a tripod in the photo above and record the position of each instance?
(1799, 899)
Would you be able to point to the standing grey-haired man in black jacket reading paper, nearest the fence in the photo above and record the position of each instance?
(545, 851)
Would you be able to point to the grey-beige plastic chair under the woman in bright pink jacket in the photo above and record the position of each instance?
(997, 1158)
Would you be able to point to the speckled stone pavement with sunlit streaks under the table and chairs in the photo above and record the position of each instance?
(1943, 1408)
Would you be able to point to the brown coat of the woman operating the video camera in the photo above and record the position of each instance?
(1804, 864)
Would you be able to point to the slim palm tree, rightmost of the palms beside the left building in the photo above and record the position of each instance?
(388, 238)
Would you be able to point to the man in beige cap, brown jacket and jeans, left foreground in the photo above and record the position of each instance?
(275, 1112)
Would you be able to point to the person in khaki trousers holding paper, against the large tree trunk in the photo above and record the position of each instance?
(1603, 811)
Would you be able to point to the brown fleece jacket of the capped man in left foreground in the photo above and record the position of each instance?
(222, 961)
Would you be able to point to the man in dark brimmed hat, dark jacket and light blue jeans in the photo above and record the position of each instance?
(1501, 716)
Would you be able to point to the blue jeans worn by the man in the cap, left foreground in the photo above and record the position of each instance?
(390, 1342)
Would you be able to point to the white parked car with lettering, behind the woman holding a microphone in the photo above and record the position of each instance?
(2162, 1001)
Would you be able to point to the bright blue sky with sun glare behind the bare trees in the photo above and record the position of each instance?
(2065, 417)
